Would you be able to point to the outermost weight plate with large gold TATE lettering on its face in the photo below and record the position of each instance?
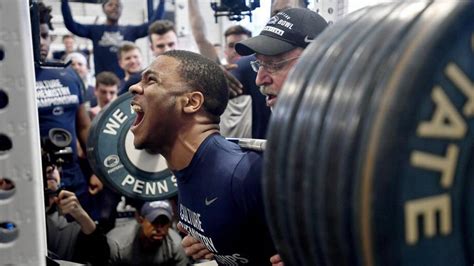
(408, 211)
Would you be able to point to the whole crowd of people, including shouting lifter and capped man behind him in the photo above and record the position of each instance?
(200, 99)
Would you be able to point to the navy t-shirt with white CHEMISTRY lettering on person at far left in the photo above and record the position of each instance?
(58, 96)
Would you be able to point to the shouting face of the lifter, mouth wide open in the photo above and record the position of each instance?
(158, 104)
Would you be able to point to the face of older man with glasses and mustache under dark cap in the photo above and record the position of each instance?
(271, 78)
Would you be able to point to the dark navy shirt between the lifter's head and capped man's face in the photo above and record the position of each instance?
(260, 111)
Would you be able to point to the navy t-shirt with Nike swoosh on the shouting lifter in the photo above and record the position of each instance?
(221, 203)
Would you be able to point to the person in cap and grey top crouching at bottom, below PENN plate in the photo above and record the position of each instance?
(151, 241)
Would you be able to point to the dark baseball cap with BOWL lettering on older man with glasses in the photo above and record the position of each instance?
(289, 29)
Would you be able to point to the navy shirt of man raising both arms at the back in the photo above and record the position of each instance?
(106, 39)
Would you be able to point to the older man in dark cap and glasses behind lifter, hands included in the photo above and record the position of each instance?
(276, 48)
